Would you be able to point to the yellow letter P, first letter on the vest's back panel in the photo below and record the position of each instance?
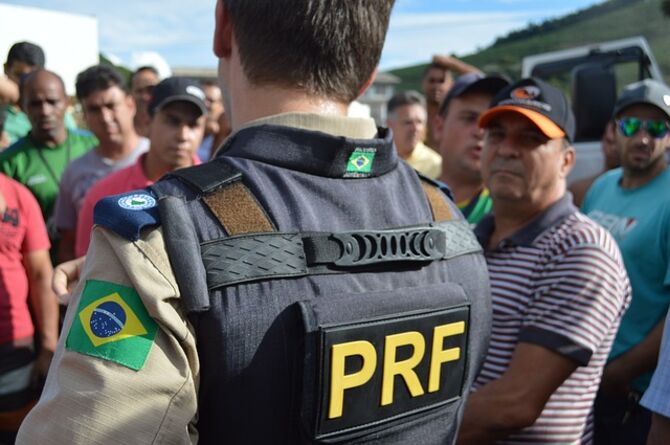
(340, 381)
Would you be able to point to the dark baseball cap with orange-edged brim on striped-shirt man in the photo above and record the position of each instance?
(546, 106)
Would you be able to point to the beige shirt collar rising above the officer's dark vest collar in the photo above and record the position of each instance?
(349, 127)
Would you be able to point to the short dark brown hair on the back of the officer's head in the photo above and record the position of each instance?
(327, 48)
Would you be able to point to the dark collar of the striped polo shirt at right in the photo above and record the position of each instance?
(525, 236)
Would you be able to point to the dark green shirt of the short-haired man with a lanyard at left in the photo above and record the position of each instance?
(40, 168)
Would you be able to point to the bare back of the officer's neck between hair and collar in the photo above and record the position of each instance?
(259, 102)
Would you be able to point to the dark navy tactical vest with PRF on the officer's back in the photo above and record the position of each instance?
(326, 310)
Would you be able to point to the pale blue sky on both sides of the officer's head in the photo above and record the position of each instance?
(181, 31)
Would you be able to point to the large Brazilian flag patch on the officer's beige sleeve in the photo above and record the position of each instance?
(112, 324)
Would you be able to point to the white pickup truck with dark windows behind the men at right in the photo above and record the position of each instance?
(592, 76)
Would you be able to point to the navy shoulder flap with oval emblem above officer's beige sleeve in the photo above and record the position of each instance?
(127, 214)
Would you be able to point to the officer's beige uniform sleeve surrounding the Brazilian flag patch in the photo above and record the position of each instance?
(88, 399)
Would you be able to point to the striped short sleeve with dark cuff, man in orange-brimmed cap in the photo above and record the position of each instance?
(578, 302)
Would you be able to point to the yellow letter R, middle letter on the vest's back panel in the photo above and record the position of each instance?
(403, 368)
